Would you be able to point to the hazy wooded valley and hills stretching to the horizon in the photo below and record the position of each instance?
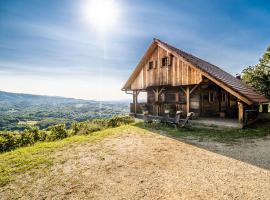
(20, 111)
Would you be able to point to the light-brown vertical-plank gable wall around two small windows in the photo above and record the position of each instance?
(180, 72)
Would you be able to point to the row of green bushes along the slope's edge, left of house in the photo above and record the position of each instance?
(11, 140)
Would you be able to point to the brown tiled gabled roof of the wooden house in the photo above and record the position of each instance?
(214, 73)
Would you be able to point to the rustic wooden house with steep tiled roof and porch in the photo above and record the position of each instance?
(176, 80)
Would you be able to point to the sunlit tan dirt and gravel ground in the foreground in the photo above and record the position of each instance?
(142, 166)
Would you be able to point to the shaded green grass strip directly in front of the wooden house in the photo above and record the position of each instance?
(226, 135)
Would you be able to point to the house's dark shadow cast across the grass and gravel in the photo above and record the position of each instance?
(250, 145)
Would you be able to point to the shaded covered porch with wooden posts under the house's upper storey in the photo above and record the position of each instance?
(229, 112)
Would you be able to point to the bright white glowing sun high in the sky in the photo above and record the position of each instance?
(101, 14)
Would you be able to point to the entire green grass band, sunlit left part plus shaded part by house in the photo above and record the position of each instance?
(39, 156)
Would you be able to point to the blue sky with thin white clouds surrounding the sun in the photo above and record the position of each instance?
(48, 47)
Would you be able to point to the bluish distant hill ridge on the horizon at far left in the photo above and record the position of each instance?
(8, 98)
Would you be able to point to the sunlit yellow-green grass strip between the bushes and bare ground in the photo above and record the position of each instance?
(39, 156)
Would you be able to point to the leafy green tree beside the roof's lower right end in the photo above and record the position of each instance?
(258, 76)
